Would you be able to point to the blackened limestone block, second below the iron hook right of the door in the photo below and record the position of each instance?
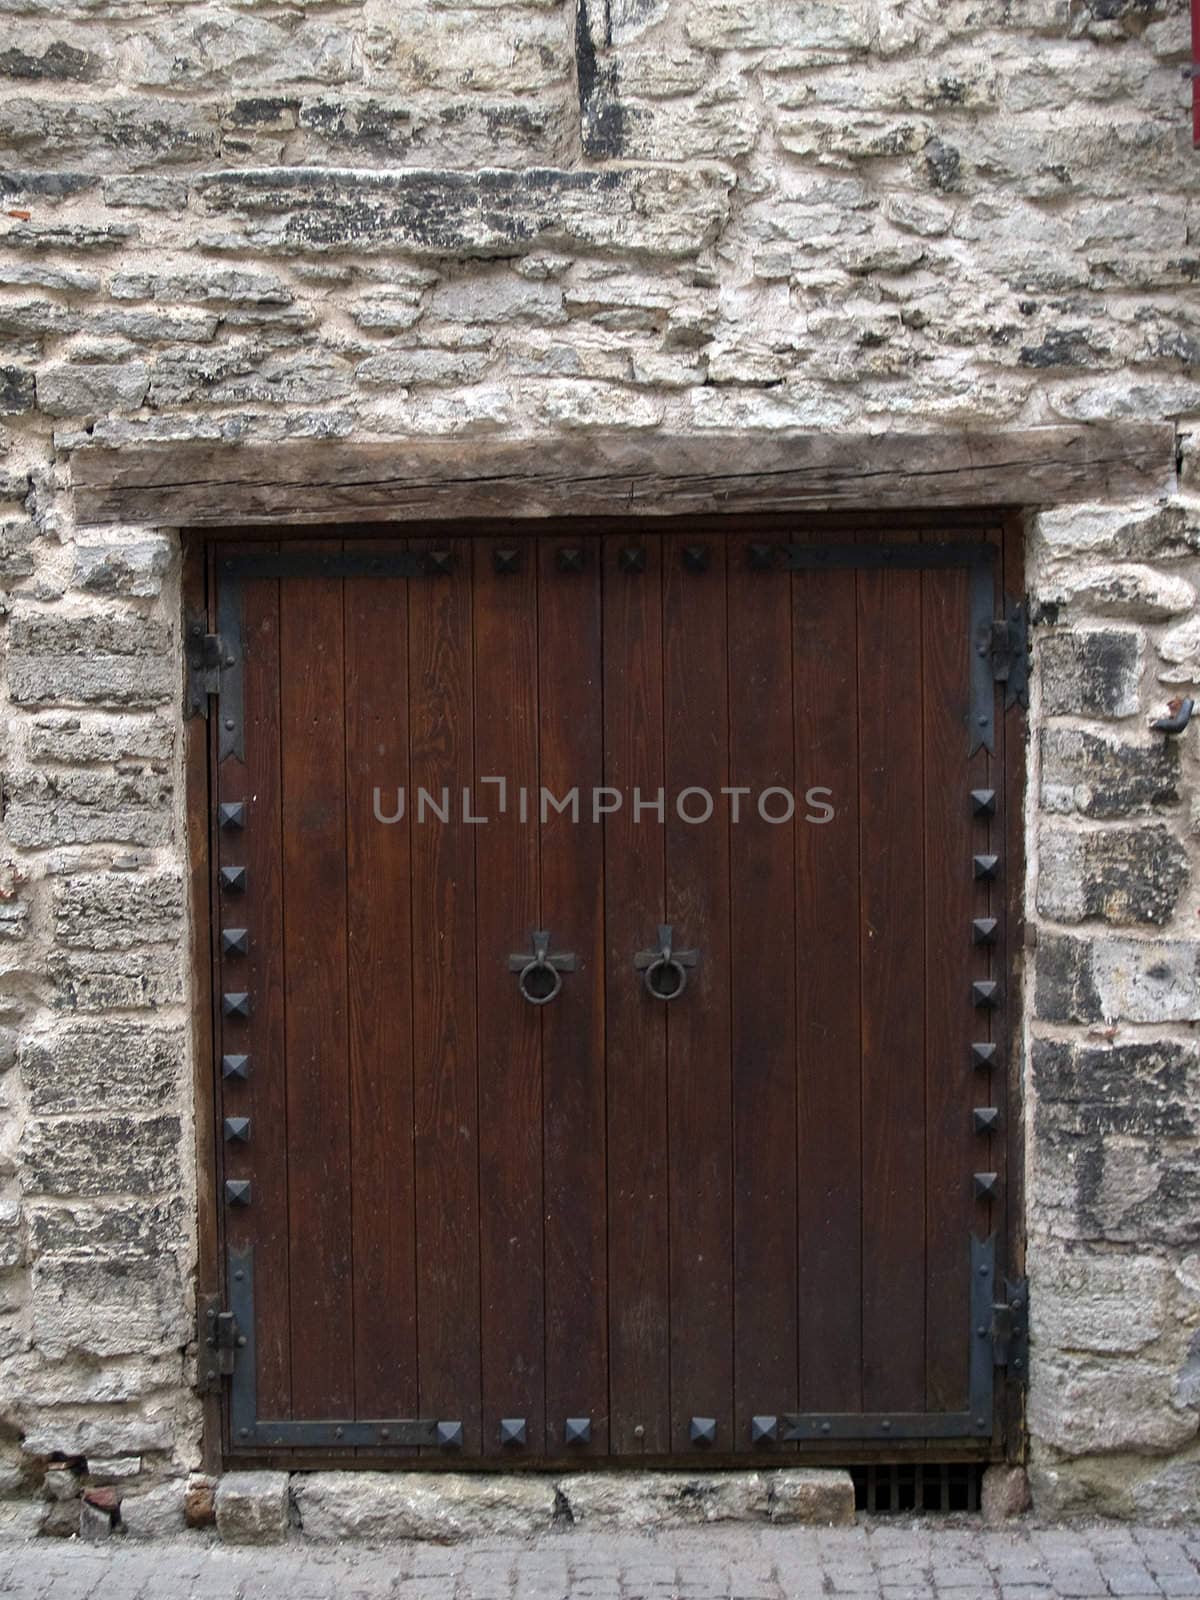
(1118, 874)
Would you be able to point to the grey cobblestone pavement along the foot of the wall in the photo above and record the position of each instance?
(882, 1562)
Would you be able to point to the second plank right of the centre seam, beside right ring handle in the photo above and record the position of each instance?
(697, 742)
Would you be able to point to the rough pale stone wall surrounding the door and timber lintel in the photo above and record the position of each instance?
(374, 220)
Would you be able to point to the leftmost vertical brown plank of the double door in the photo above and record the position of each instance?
(263, 1094)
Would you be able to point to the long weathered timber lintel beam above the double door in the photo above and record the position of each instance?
(615, 474)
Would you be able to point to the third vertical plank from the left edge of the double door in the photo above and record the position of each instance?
(380, 934)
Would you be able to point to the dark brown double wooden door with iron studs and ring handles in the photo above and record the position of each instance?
(609, 991)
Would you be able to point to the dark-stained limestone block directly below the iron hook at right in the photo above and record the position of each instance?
(1102, 775)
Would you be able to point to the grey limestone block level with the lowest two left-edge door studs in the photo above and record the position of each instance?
(100, 1154)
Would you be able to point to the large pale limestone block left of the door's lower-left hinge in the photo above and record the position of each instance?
(108, 1308)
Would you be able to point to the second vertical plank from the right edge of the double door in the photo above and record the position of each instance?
(892, 798)
